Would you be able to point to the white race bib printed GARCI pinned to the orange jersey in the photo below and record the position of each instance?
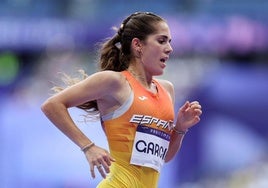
(150, 147)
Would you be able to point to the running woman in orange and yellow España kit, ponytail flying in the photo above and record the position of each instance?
(136, 109)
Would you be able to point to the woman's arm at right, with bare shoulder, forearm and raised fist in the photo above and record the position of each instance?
(188, 116)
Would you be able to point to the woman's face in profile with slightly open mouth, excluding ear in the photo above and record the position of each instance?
(156, 50)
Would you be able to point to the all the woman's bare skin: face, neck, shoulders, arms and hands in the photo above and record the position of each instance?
(111, 90)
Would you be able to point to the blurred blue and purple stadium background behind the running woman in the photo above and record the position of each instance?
(220, 58)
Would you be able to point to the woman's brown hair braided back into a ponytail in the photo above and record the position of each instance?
(115, 52)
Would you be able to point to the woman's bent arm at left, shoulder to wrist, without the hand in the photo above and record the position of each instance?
(55, 108)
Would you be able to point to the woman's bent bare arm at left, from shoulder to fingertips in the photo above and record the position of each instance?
(96, 86)
